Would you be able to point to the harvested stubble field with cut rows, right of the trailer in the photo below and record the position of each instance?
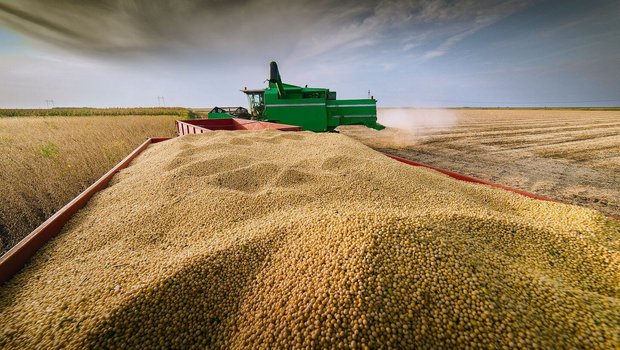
(569, 155)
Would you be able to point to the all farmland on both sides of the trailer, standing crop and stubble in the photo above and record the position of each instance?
(570, 155)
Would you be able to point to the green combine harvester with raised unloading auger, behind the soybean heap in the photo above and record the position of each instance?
(314, 109)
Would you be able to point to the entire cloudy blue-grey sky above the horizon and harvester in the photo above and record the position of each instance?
(426, 53)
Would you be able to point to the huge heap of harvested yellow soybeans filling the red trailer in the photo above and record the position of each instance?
(288, 240)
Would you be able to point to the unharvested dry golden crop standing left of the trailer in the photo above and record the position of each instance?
(46, 161)
